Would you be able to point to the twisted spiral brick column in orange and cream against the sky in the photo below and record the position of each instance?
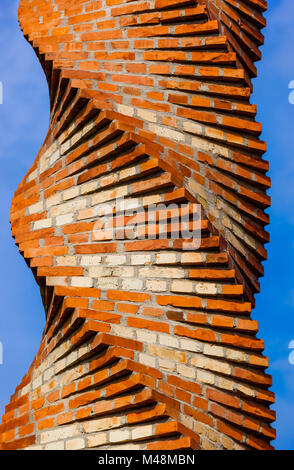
(147, 345)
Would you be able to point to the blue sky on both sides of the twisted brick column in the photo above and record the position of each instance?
(23, 125)
